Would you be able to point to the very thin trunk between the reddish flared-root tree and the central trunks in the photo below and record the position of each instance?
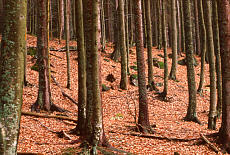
(67, 35)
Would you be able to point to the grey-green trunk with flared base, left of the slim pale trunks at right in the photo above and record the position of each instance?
(191, 112)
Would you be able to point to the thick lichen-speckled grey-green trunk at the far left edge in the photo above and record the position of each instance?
(13, 47)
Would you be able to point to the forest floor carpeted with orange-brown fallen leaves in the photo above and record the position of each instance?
(118, 109)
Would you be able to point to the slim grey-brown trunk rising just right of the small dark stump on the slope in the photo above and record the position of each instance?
(124, 80)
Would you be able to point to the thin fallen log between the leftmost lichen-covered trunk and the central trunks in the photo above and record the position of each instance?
(48, 116)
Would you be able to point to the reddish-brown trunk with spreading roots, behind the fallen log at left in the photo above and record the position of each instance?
(44, 101)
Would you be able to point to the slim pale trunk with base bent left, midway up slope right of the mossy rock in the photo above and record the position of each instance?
(174, 41)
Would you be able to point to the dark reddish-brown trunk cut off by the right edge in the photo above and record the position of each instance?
(224, 24)
